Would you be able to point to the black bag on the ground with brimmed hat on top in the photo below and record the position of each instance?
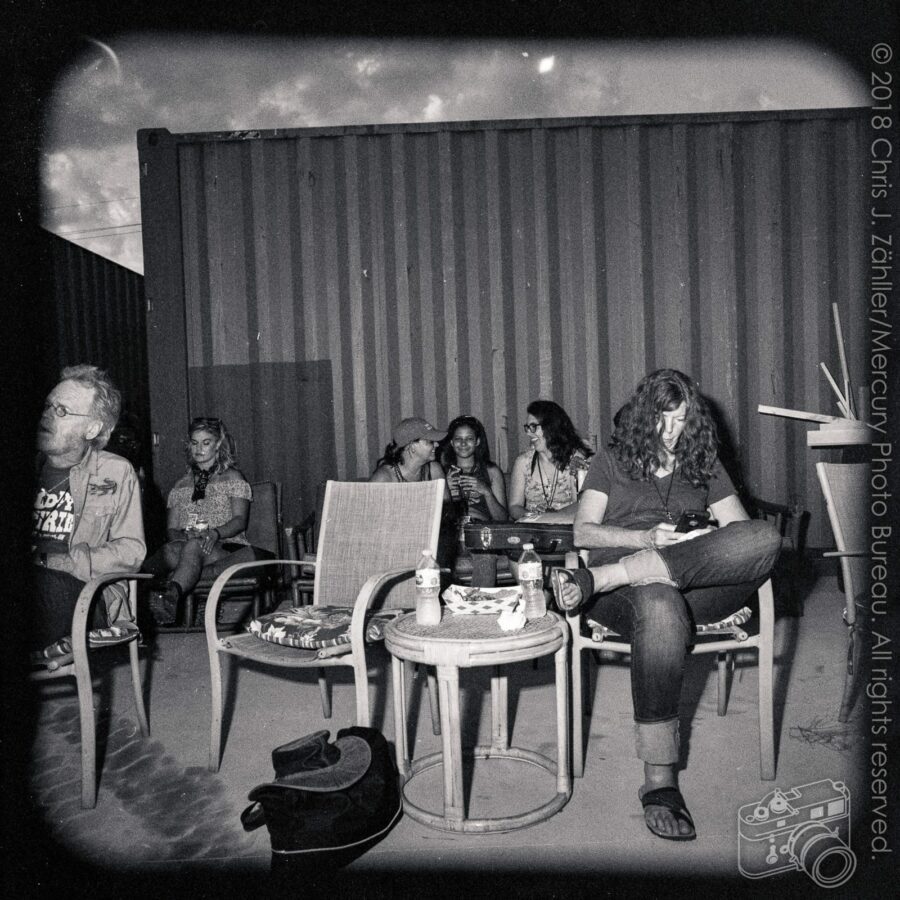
(329, 802)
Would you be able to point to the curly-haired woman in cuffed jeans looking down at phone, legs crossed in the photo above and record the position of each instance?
(649, 583)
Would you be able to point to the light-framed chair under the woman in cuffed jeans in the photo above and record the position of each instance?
(722, 638)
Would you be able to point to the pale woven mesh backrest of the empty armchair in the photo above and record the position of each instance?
(372, 528)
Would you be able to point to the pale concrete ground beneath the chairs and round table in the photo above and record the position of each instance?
(163, 819)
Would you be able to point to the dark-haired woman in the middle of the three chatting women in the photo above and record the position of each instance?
(475, 482)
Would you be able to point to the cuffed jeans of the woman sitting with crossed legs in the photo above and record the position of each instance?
(715, 575)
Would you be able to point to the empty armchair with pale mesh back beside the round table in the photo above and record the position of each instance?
(370, 540)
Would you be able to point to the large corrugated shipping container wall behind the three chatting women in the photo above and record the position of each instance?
(336, 280)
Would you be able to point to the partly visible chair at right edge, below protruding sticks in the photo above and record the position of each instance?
(846, 487)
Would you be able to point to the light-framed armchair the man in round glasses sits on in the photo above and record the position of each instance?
(83, 644)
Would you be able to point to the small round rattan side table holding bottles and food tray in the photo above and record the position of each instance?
(467, 641)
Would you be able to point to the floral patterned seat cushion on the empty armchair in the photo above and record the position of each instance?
(316, 627)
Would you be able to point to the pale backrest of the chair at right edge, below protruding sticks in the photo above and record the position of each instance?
(846, 488)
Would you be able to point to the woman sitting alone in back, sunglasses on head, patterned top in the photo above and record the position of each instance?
(208, 509)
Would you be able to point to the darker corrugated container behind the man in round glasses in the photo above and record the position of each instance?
(96, 313)
